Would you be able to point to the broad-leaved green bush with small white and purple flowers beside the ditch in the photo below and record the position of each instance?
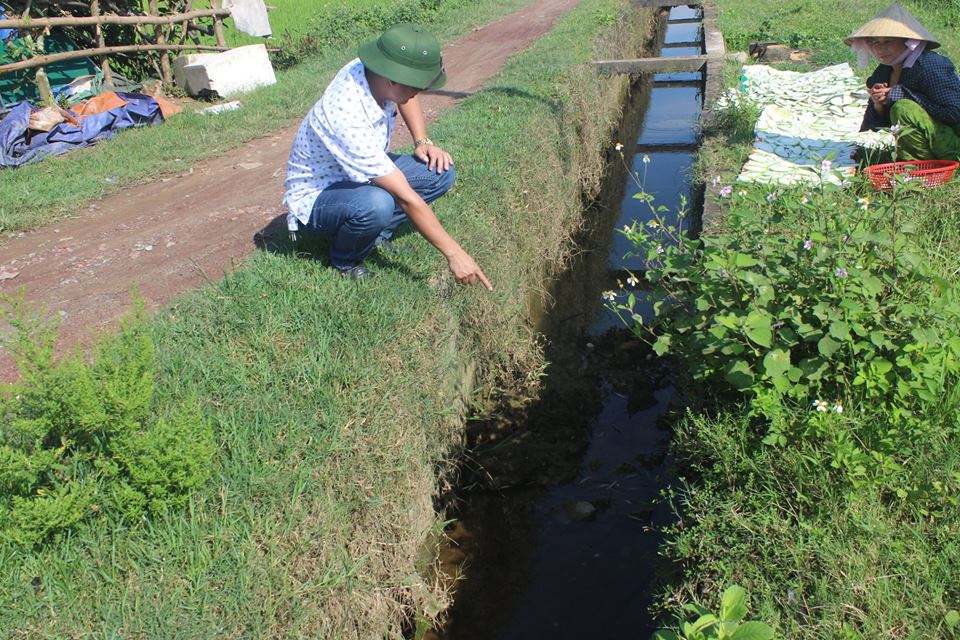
(812, 300)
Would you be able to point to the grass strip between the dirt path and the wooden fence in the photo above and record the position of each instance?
(57, 187)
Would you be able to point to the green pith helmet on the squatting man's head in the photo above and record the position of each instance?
(408, 54)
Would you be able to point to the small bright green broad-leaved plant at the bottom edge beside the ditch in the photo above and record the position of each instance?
(726, 625)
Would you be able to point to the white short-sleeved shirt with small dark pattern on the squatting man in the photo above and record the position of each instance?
(343, 138)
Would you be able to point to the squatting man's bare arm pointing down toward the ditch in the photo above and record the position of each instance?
(463, 267)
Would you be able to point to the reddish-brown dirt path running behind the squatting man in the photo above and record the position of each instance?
(170, 235)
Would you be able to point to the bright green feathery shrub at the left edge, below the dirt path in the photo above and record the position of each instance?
(78, 438)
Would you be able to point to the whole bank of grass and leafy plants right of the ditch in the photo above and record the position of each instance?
(840, 519)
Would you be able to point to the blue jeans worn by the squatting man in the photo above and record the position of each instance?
(356, 215)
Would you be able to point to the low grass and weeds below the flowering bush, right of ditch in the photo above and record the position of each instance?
(779, 521)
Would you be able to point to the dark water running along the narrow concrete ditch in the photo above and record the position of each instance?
(560, 514)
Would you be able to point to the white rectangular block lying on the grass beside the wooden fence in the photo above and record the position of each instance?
(235, 71)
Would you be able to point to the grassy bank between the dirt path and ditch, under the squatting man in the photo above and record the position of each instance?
(334, 404)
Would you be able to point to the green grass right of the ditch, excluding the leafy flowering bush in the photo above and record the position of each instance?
(820, 558)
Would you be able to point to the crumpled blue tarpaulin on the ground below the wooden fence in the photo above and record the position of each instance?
(20, 146)
